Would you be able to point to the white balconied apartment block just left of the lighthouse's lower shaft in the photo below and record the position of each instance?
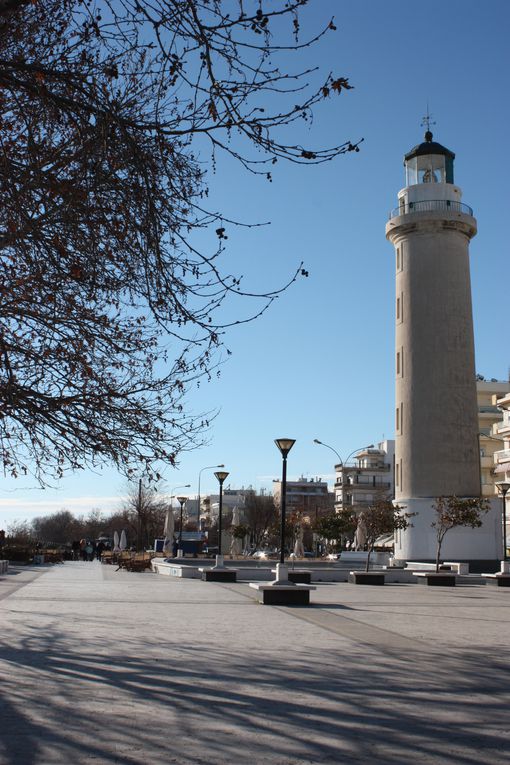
(369, 479)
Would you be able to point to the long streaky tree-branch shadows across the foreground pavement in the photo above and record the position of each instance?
(202, 704)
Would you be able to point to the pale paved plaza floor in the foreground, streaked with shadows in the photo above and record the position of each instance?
(100, 666)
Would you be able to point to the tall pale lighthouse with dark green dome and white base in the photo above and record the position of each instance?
(436, 415)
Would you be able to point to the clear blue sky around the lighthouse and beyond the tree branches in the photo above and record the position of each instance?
(320, 363)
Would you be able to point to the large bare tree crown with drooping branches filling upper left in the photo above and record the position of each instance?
(108, 311)
